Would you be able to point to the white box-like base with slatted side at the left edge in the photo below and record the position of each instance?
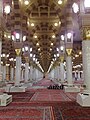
(5, 99)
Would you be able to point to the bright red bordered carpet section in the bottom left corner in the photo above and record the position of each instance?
(25, 113)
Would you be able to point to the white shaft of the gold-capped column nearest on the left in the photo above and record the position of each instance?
(18, 70)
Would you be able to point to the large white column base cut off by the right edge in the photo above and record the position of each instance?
(83, 99)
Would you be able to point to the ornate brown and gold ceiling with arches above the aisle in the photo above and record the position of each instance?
(42, 22)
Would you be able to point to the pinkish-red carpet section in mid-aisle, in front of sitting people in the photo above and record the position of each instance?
(50, 95)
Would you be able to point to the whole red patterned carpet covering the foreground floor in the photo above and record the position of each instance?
(44, 104)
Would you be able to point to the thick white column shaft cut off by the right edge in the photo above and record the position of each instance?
(86, 62)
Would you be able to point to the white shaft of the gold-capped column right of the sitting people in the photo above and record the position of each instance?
(69, 69)
